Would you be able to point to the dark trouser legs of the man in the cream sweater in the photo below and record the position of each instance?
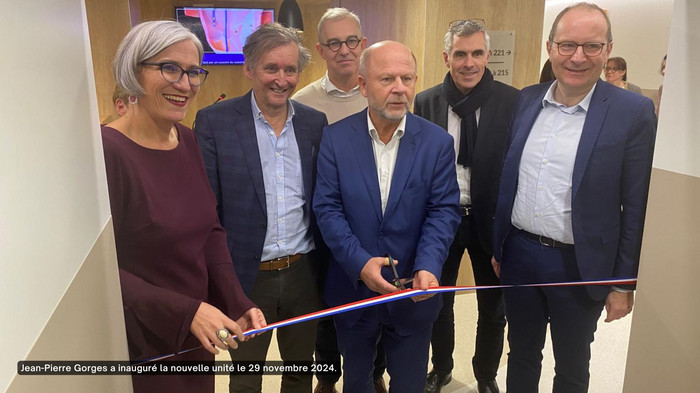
(327, 351)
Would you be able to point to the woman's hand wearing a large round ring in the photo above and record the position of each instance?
(207, 321)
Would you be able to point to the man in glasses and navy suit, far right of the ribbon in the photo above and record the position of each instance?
(571, 203)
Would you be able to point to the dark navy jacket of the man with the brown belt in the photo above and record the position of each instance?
(226, 134)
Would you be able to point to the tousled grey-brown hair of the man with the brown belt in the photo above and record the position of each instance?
(270, 36)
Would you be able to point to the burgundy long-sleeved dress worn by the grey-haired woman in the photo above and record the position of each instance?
(171, 250)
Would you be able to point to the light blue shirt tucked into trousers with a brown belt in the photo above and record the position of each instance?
(287, 225)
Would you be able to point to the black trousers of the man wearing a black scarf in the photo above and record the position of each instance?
(491, 323)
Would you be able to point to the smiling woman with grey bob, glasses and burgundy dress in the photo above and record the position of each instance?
(179, 288)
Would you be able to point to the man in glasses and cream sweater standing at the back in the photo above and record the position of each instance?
(337, 94)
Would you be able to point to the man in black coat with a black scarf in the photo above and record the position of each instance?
(476, 111)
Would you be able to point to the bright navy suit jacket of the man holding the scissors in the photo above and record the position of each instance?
(417, 227)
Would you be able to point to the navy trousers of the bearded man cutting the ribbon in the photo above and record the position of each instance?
(406, 353)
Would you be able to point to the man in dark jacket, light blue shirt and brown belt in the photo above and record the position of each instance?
(260, 155)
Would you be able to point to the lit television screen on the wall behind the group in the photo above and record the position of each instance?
(223, 31)
